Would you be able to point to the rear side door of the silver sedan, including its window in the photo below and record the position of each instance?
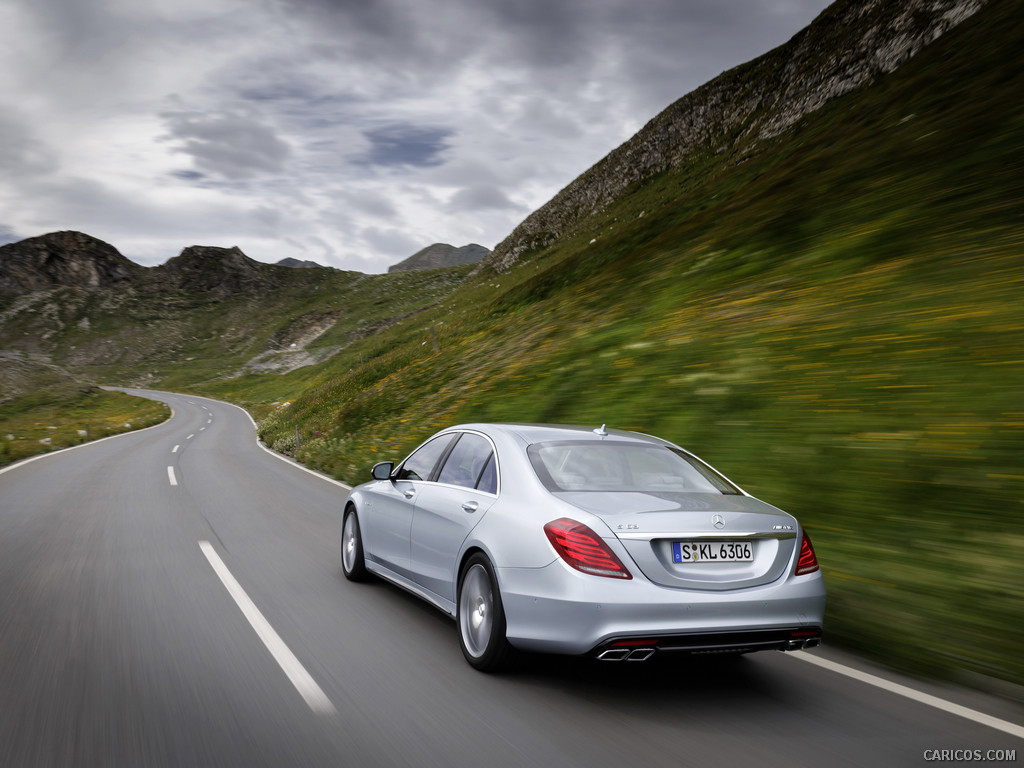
(449, 509)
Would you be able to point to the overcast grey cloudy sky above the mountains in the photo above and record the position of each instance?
(350, 133)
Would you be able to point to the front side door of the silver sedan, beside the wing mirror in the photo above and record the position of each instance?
(387, 530)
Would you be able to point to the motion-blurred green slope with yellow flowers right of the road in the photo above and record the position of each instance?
(833, 319)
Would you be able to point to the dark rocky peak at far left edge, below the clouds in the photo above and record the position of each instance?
(64, 260)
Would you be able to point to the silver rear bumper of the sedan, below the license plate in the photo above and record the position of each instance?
(557, 610)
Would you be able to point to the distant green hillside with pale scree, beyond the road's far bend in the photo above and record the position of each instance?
(177, 336)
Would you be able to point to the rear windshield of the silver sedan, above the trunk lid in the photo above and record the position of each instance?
(611, 465)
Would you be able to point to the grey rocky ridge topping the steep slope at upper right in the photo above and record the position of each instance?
(849, 46)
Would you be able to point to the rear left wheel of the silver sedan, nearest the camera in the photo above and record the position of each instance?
(482, 618)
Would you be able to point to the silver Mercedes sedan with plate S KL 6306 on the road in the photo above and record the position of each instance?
(572, 540)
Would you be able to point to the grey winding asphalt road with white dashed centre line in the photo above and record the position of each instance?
(121, 645)
